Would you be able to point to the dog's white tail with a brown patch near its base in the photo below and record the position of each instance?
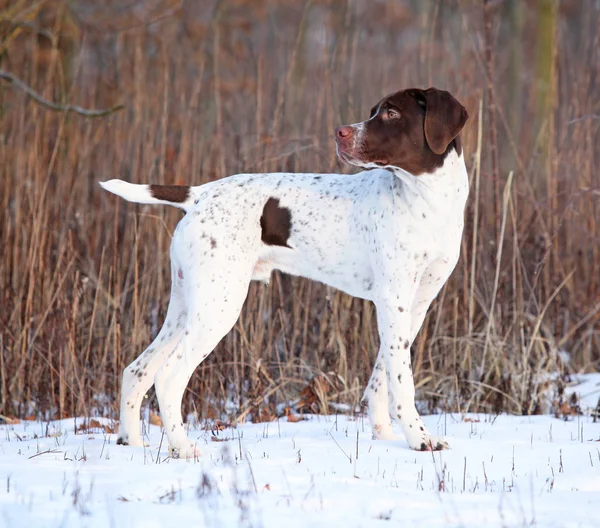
(176, 195)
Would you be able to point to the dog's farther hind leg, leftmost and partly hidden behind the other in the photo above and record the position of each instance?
(138, 377)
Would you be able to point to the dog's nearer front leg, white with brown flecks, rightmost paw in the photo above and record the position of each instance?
(395, 336)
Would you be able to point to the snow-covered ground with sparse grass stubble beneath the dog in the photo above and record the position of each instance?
(501, 471)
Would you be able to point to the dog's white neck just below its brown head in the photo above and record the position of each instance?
(443, 191)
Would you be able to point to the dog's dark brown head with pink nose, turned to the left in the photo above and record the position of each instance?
(412, 129)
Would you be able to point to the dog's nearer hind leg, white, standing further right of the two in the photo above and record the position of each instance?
(216, 294)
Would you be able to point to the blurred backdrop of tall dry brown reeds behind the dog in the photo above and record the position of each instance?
(211, 88)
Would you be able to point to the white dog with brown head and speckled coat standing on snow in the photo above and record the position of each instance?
(390, 234)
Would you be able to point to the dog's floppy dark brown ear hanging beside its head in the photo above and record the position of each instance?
(444, 119)
